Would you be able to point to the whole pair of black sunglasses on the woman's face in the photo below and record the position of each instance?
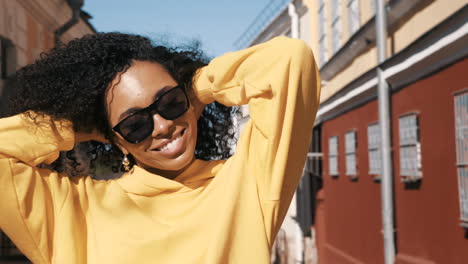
(138, 126)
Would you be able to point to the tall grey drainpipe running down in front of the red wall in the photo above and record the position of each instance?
(384, 120)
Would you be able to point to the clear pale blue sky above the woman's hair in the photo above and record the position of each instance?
(217, 23)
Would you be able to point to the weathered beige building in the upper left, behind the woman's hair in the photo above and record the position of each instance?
(27, 28)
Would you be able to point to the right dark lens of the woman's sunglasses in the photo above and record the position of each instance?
(173, 104)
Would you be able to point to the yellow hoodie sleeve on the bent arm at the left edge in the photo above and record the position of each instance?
(31, 196)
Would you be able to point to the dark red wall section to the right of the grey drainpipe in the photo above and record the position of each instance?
(427, 217)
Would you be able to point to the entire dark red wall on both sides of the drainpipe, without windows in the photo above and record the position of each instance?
(427, 216)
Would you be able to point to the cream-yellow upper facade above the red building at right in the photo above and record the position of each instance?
(350, 25)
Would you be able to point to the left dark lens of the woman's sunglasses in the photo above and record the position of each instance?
(136, 127)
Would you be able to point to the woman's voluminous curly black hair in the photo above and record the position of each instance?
(70, 81)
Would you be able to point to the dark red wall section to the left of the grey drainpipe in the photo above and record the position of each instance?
(351, 208)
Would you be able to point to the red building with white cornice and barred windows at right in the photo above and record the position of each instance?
(429, 133)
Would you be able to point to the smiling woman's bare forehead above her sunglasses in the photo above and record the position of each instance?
(136, 87)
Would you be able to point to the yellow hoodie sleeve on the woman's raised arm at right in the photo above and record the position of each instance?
(280, 83)
